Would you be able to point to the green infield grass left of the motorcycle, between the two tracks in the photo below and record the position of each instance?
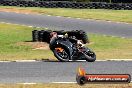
(10, 35)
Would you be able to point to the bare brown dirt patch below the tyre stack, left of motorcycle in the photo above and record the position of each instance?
(35, 45)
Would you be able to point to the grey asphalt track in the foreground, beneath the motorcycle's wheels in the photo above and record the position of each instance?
(45, 72)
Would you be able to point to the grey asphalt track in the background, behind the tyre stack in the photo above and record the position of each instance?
(62, 23)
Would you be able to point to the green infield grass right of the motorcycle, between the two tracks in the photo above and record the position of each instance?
(107, 47)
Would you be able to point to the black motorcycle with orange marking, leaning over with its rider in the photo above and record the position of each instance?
(66, 48)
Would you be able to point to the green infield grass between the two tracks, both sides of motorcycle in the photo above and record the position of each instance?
(106, 47)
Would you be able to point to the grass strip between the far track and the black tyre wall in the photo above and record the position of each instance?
(100, 14)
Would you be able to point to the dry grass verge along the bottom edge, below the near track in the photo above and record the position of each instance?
(49, 85)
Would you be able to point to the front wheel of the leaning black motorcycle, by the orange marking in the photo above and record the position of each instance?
(61, 54)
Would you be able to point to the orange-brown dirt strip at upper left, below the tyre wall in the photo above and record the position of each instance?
(18, 10)
